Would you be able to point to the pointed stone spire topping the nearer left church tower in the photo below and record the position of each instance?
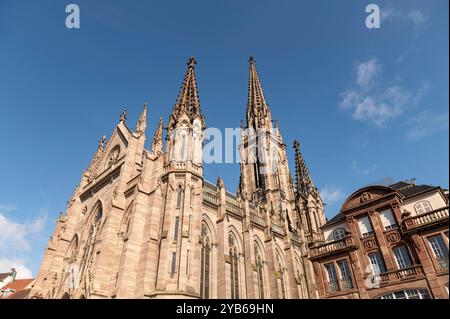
(188, 100)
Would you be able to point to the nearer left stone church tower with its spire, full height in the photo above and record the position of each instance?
(182, 181)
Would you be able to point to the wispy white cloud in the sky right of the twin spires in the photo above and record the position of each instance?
(368, 101)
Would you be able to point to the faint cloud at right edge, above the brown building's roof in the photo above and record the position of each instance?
(427, 123)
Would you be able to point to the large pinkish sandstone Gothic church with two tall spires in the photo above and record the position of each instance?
(147, 224)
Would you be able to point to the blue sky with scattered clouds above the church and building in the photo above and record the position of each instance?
(365, 103)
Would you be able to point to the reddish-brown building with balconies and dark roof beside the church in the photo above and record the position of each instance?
(388, 242)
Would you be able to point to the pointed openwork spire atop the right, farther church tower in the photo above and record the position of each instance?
(258, 113)
